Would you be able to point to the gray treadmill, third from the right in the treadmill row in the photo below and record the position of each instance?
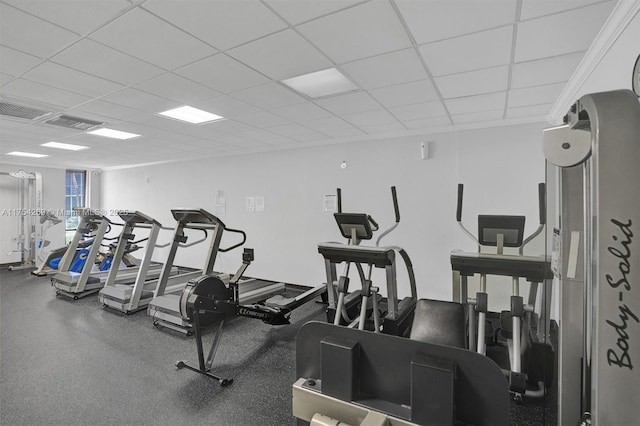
(91, 278)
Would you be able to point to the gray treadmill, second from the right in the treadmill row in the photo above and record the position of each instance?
(134, 296)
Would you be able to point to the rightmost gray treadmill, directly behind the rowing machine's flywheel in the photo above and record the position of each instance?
(164, 308)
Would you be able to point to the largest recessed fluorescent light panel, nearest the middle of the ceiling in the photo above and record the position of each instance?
(321, 83)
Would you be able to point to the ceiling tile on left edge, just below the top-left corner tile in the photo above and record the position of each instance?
(27, 33)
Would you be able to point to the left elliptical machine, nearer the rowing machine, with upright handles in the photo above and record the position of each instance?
(365, 308)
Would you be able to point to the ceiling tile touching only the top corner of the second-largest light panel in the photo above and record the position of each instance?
(176, 88)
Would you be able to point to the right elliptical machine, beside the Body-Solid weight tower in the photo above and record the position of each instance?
(526, 331)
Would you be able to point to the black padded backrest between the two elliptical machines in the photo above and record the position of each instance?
(439, 322)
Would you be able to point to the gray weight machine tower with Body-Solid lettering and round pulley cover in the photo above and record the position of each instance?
(596, 258)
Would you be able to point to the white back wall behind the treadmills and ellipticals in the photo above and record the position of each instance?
(500, 168)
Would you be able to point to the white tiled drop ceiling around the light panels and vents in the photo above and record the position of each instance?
(420, 67)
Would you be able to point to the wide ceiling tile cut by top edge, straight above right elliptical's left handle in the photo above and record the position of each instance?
(437, 20)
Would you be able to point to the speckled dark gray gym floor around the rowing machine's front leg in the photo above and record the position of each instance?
(65, 362)
